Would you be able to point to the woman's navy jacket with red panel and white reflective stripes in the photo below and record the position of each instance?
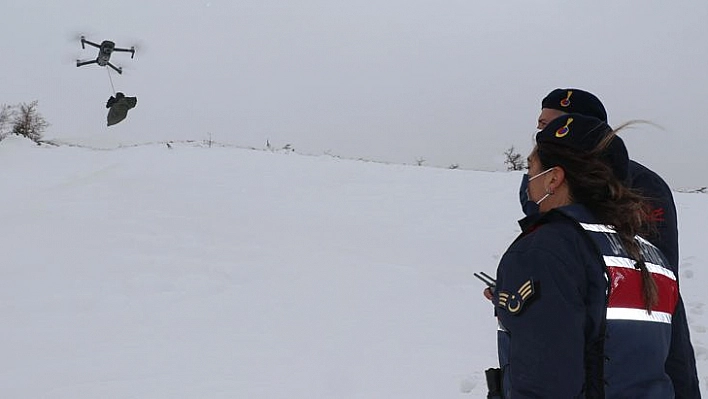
(566, 338)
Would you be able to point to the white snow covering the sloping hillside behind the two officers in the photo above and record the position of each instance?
(221, 272)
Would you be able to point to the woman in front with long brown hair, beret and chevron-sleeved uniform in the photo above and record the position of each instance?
(586, 306)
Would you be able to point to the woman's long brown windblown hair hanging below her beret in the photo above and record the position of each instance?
(593, 184)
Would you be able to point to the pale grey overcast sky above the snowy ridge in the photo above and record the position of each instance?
(448, 81)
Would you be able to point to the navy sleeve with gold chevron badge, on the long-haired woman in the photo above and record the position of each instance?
(547, 328)
